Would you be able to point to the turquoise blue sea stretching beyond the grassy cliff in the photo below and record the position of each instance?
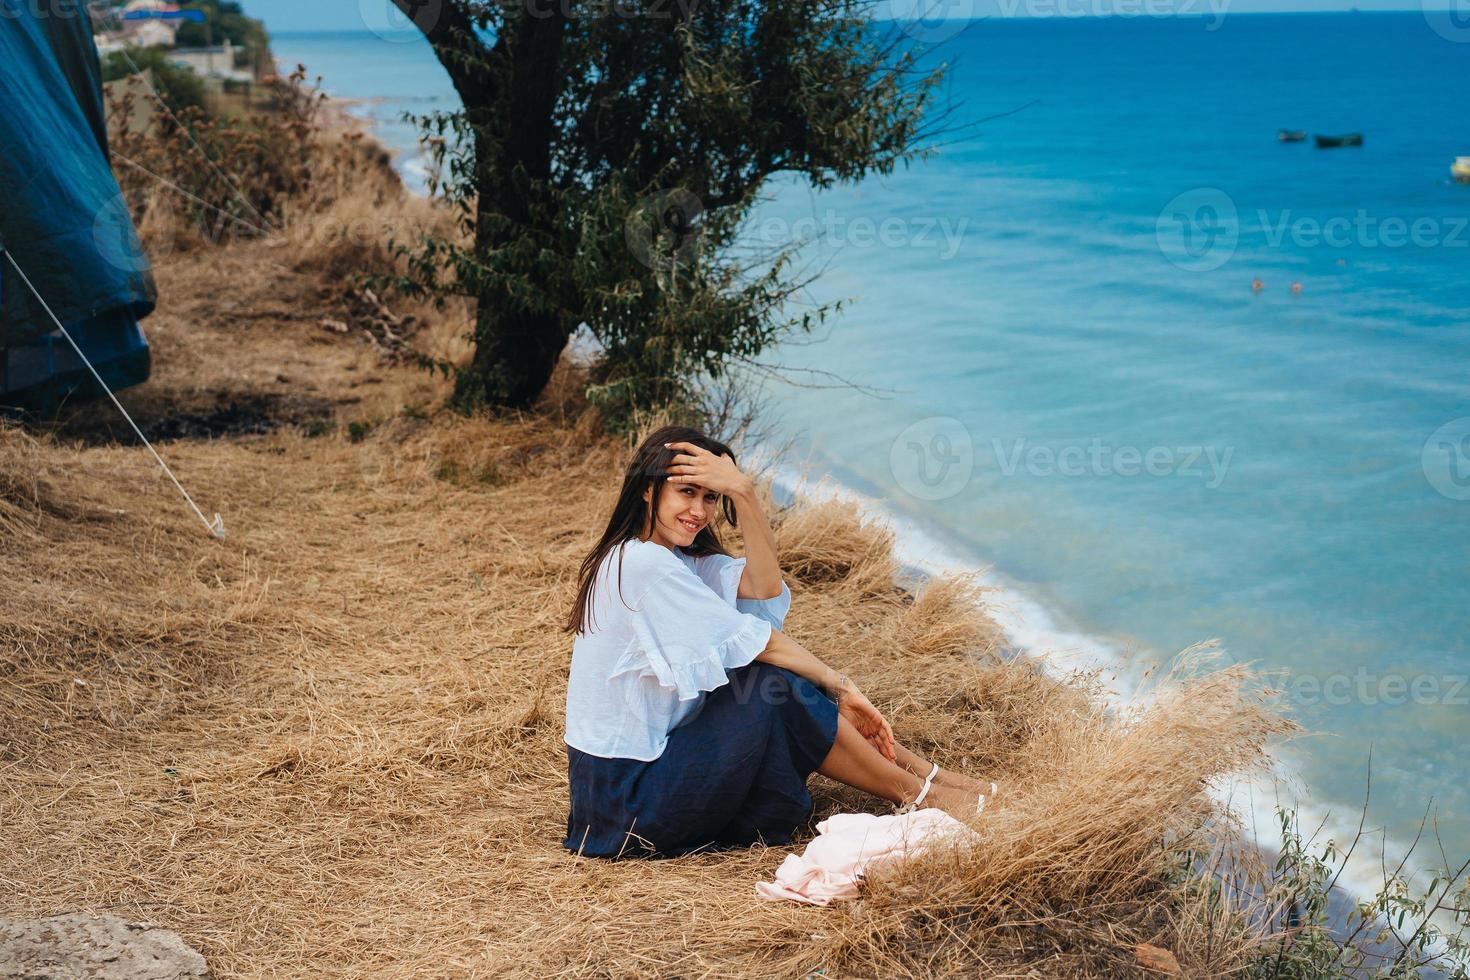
(1066, 372)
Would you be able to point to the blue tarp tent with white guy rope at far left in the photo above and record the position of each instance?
(62, 215)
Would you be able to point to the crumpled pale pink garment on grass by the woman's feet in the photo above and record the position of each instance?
(833, 865)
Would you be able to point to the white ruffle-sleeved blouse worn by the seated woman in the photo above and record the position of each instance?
(652, 655)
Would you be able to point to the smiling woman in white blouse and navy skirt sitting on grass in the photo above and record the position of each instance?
(692, 721)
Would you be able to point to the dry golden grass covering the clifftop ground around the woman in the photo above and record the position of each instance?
(331, 744)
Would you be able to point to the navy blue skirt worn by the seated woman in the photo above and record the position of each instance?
(731, 775)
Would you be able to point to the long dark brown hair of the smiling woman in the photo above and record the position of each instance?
(649, 468)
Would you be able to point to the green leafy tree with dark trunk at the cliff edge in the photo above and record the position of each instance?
(606, 158)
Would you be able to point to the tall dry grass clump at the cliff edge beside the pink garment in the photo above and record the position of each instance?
(1066, 871)
